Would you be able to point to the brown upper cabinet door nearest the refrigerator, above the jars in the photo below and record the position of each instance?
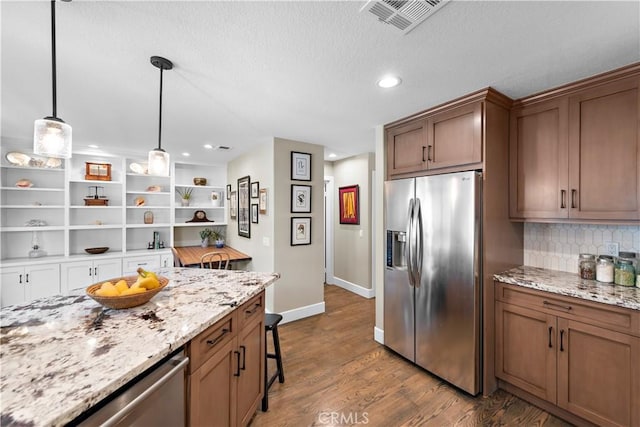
(538, 164)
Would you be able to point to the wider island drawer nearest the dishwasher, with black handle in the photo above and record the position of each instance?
(211, 340)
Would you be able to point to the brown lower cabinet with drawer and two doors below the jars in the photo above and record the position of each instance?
(580, 357)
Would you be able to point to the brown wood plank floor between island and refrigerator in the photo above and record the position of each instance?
(336, 374)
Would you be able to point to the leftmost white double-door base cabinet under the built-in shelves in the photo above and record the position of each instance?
(23, 284)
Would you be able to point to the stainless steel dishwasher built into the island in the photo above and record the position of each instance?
(157, 398)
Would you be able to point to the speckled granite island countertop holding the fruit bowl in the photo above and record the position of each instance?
(59, 356)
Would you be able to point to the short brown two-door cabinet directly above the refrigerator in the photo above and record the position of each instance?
(446, 138)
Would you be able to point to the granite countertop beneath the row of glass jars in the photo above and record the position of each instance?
(571, 285)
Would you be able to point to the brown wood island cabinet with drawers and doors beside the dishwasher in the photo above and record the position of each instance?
(226, 381)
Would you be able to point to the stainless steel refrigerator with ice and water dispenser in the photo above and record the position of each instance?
(432, 283)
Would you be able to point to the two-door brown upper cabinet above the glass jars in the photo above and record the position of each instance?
(575, 153)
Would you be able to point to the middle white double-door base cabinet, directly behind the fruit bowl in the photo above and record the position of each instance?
(80, 274)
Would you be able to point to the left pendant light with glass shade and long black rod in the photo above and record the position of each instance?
(51, 135)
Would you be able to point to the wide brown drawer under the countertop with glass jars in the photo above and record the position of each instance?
(598, 314)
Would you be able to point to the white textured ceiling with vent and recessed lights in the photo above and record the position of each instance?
(246, 72)
